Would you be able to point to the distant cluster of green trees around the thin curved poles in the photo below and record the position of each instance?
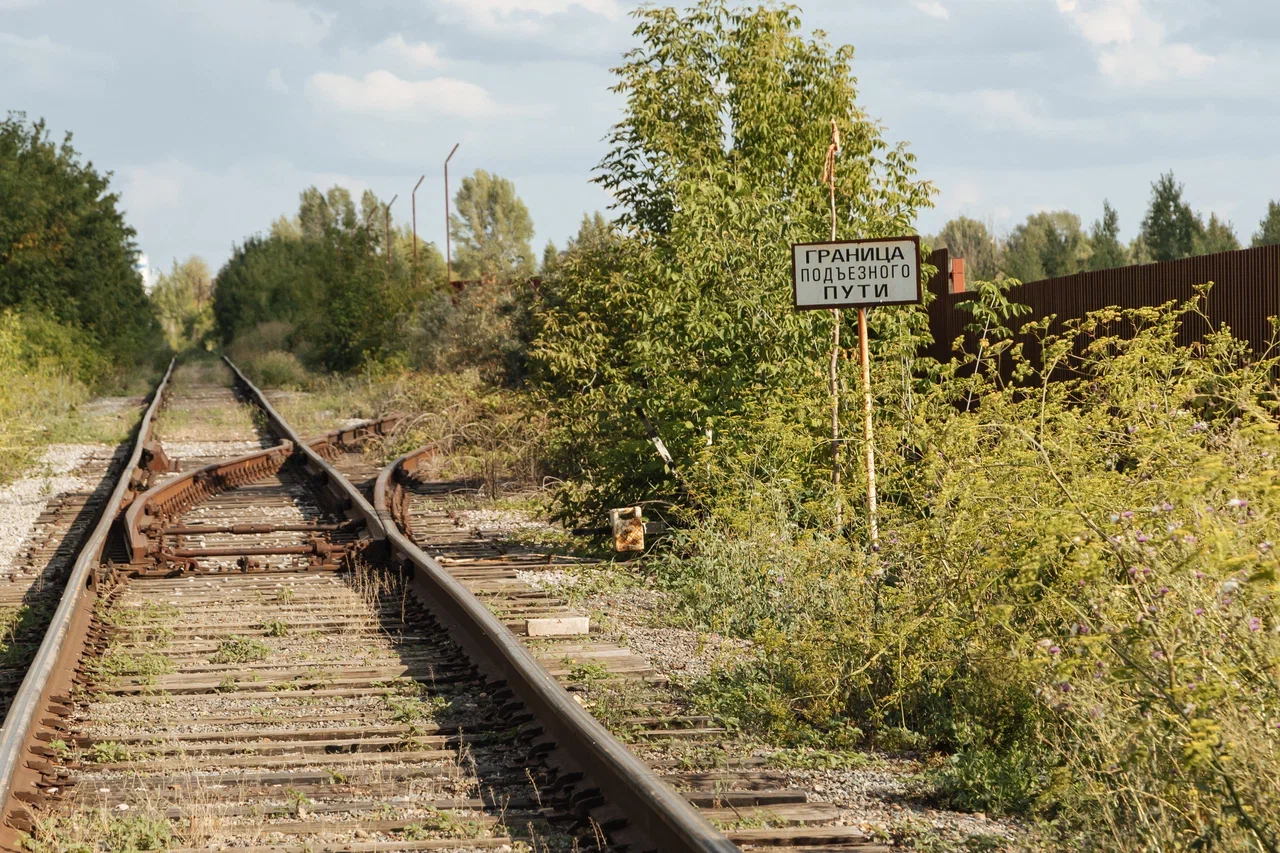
(339, 288)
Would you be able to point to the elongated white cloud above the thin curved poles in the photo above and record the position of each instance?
(386, 94)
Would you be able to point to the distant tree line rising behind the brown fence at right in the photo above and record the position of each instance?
(1054, 244)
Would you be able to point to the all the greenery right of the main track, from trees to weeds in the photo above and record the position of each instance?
(1073, 595)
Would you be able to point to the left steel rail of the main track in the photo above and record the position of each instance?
(21, 722)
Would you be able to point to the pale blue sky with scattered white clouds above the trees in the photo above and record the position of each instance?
(214, 115)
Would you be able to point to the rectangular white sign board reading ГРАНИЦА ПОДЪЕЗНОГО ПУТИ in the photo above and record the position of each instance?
(856, 273)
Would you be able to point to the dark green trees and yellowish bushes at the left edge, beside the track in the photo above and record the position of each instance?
(74, 317)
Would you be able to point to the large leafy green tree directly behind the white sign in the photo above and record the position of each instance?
(682, 320)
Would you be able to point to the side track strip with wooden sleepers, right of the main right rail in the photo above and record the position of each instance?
(760, 806)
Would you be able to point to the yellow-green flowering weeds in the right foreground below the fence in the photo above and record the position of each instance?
(1075, 595)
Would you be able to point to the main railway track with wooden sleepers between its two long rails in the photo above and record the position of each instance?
(253, 660)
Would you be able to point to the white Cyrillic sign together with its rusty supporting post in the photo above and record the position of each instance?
(858, 275)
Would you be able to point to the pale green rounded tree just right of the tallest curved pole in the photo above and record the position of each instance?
(491, 230)
